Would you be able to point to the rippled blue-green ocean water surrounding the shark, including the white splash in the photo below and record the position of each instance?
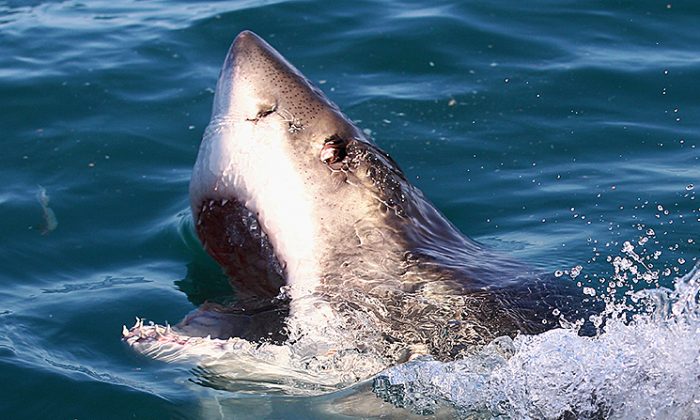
(562, 133)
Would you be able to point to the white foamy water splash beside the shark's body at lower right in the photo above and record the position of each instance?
(643, 366)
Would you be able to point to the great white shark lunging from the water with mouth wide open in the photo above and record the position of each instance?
(325, 240)
